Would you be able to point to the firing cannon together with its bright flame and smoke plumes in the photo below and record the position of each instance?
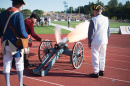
(48, 54)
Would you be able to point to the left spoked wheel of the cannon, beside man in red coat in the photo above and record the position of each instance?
(44, 49)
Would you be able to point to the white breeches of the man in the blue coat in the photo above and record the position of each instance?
(7, 61)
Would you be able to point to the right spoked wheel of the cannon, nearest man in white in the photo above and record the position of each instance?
(77, 55)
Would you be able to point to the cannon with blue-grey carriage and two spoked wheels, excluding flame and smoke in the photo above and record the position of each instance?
(48, 55)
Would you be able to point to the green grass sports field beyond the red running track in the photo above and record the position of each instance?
(50, 29)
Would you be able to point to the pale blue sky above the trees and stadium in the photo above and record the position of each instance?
(52, 5)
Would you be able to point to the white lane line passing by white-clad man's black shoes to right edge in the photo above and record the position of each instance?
(87, 74)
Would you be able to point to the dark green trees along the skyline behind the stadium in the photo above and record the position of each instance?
(114, 10)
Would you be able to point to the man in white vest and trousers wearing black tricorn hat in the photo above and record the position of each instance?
(98, 34)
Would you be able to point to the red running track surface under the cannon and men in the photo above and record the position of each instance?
(117, 71)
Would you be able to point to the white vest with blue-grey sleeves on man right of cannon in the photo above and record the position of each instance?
(99, 30)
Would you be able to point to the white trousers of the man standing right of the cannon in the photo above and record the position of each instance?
(98, 55)
